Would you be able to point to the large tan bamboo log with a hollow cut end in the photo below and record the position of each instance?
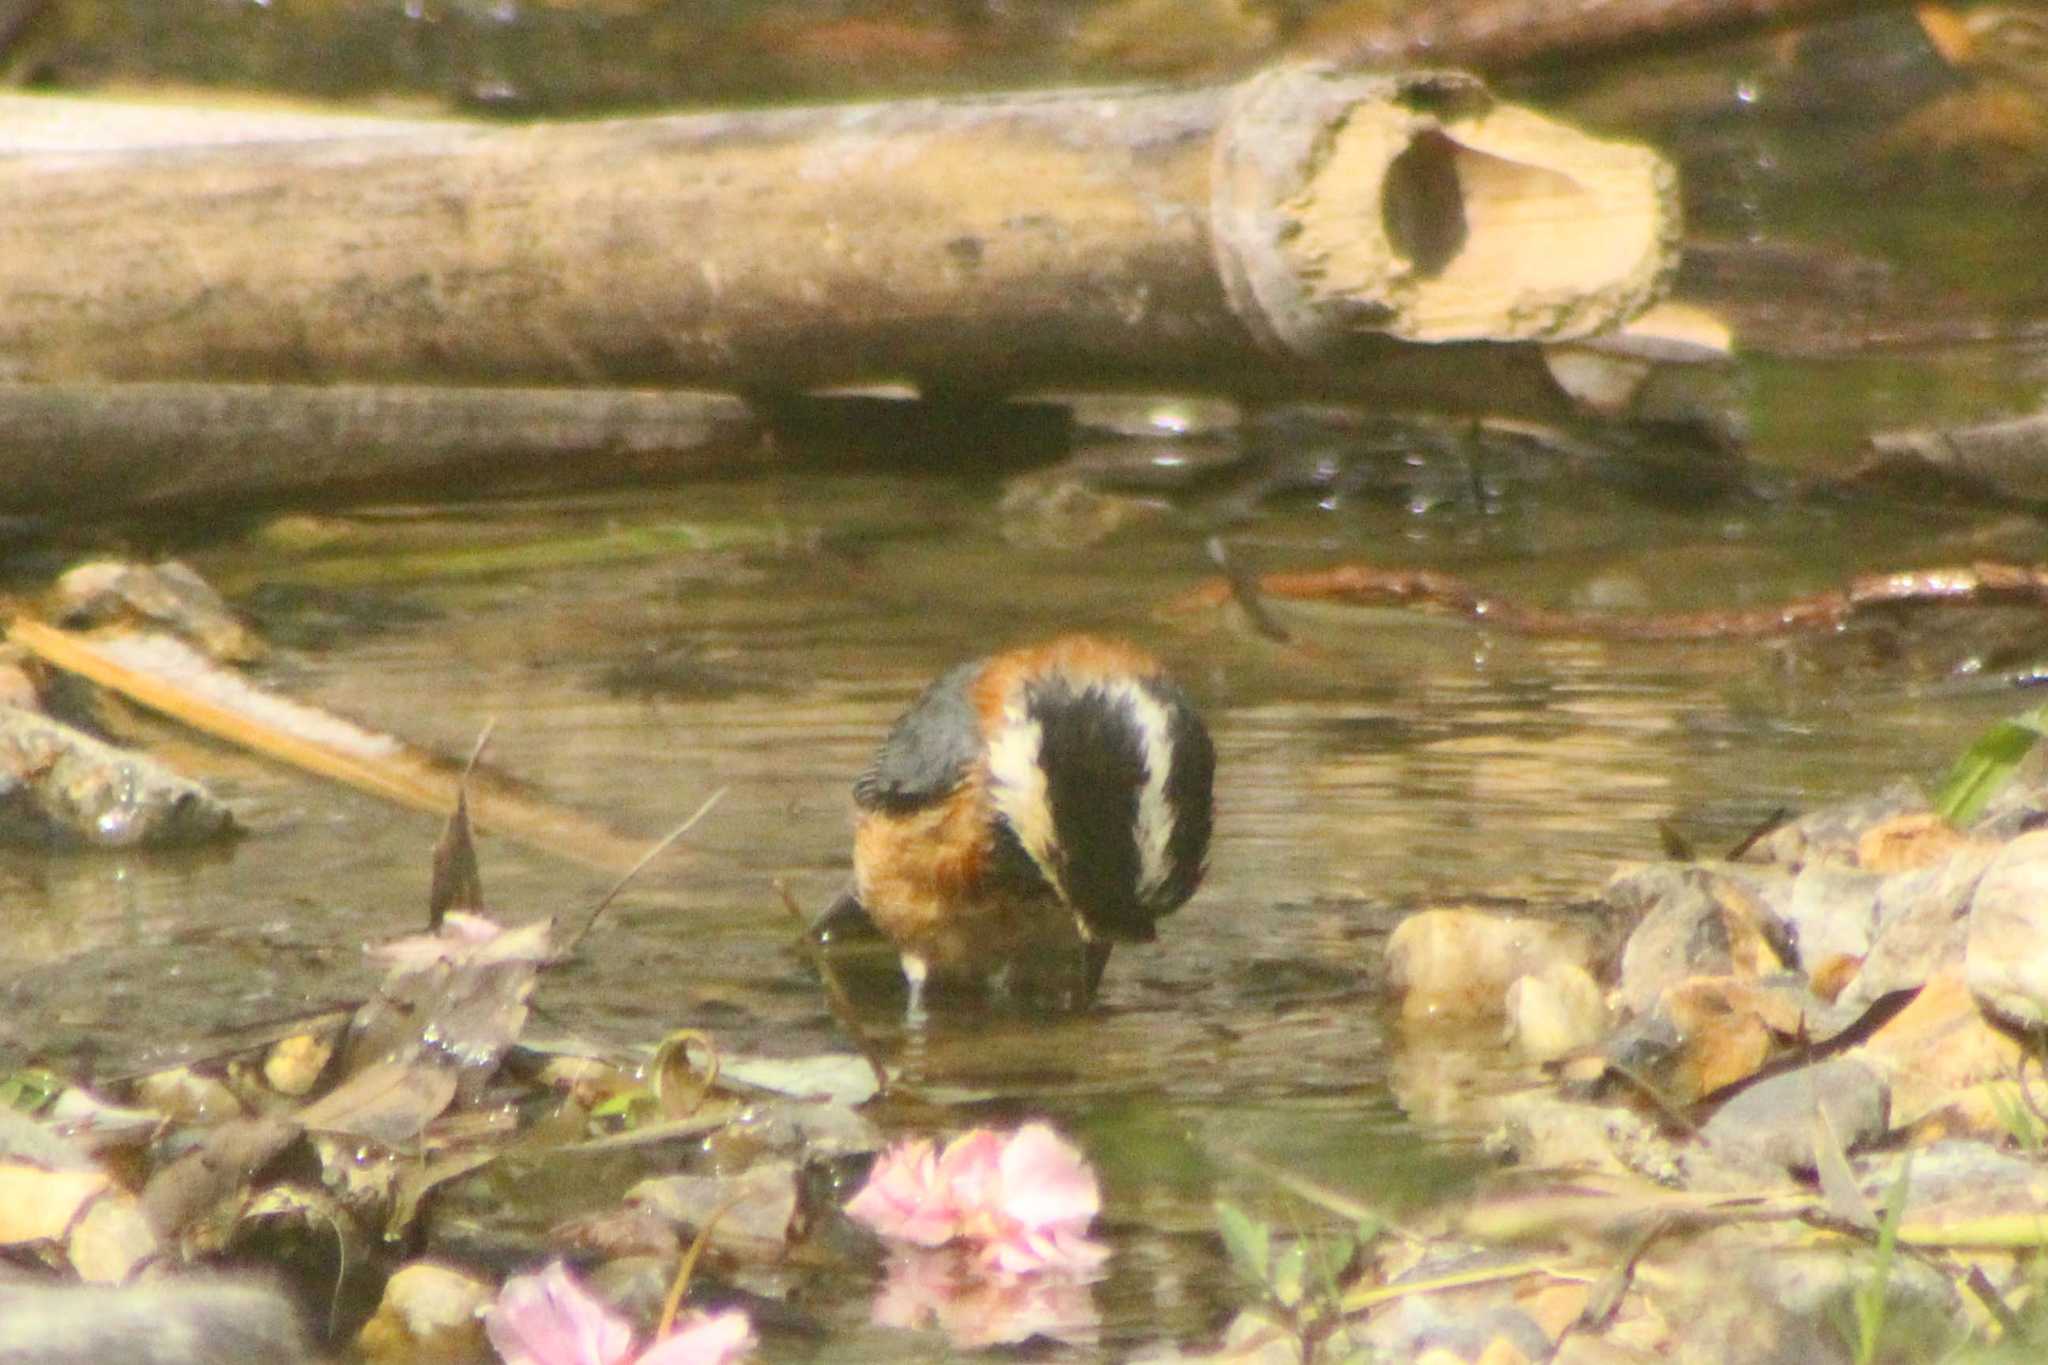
(1293, 234)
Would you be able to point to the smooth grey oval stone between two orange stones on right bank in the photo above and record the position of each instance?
(1773, 1122)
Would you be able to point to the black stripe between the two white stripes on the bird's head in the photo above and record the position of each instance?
(1095, 762)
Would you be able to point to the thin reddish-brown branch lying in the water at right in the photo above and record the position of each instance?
(1443, 595)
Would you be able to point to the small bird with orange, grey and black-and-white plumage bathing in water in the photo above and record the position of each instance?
(1031, 811)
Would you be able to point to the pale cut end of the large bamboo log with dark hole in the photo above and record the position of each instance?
(1420, 208)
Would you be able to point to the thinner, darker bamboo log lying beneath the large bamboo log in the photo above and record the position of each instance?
(85, 449)
